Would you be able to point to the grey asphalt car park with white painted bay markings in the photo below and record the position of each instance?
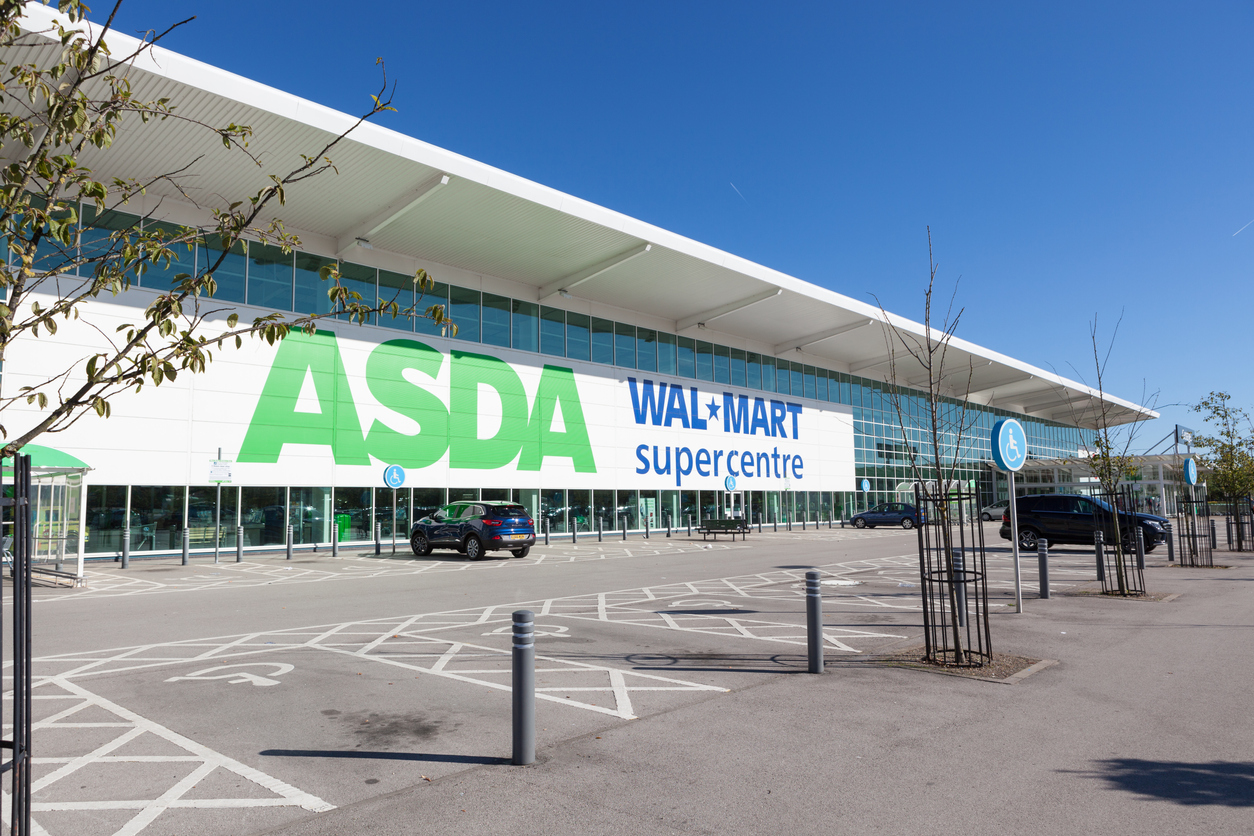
(372, 695)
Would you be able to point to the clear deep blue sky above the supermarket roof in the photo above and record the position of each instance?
(1073, 160)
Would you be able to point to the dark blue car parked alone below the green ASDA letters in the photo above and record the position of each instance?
(476, 530)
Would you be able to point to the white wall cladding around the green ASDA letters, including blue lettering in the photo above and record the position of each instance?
(169, 436)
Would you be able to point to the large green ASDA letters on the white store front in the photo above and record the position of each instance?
(526, 431)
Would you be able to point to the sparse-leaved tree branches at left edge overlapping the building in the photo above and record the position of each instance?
(62, 259)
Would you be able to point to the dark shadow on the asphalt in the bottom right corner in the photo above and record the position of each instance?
(1220, 783)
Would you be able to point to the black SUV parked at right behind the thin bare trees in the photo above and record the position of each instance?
(1070, 520)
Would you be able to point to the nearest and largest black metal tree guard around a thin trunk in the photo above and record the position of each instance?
(955, 581)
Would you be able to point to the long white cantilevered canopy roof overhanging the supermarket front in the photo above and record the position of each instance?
(407, 197)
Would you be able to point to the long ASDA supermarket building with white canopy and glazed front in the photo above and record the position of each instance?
(604, 369)
